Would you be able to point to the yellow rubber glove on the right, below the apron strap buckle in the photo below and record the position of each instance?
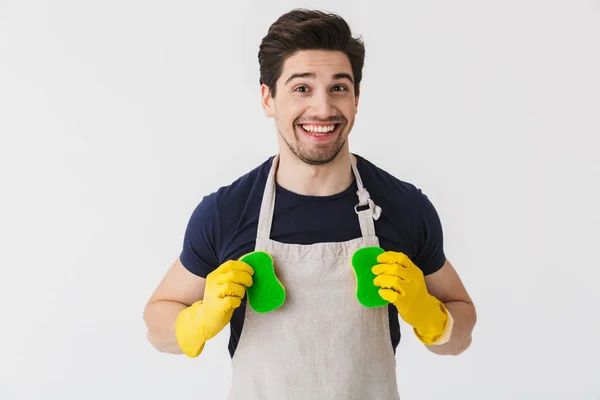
(403, 284)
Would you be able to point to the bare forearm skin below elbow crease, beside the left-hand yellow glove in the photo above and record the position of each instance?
(160, 319)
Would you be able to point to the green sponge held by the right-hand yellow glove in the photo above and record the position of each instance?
(367, 292)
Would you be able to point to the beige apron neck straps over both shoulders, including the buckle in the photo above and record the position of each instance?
(365, 216)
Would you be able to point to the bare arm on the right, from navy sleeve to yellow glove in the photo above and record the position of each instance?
(446, 286)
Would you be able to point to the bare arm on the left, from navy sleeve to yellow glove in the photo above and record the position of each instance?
(178, 290)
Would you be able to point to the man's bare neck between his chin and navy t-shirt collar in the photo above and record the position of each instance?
(314, 180)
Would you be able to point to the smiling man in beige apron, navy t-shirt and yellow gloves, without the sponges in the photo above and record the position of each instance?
(311, 207)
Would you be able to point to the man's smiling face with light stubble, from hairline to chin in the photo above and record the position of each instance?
(315, 104)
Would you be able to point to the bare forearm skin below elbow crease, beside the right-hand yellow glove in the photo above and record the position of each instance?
(465, 317)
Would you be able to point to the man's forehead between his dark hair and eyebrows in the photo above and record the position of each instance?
(320, 62)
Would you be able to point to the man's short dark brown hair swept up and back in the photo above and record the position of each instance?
(302, 29)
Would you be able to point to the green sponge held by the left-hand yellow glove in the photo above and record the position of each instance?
(266, 292)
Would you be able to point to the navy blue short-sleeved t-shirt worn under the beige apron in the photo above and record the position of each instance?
(224, 224)
